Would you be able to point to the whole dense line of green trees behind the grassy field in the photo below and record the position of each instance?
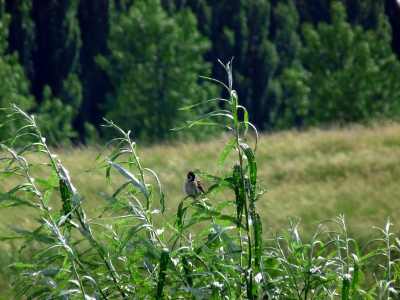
(296, 62)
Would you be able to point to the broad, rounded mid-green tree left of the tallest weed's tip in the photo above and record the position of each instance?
(154, 63)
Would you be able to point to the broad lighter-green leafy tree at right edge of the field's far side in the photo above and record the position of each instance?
(348, 75)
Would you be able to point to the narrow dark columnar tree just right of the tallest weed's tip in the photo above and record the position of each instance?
(257, 62)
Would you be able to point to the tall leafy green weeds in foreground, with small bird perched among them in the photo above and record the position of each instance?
(123, 255)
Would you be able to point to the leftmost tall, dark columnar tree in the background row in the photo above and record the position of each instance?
(55, 60)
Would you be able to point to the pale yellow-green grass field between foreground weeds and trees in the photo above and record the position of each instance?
(312, 175)
